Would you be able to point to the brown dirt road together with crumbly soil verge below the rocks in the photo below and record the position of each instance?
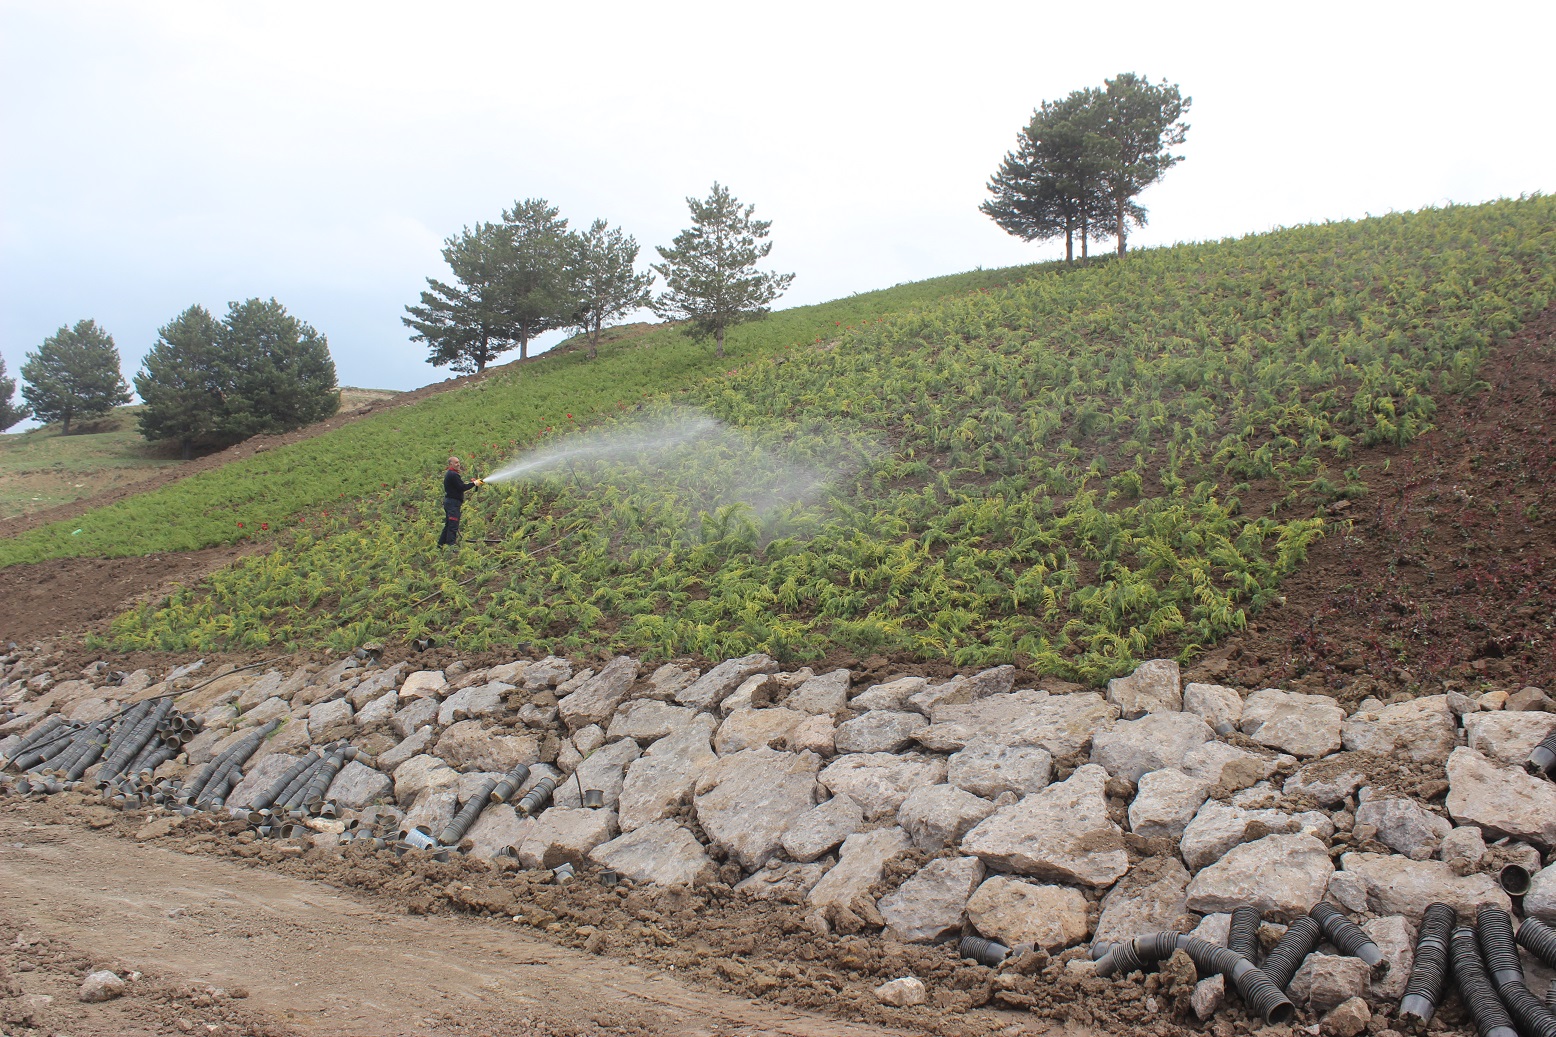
(267, 940)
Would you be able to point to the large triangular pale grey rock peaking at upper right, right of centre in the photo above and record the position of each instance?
(1062, 834)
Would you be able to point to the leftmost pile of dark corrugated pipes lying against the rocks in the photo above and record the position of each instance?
(127, 750)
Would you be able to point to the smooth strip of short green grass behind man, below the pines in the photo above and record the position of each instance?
(408, 446)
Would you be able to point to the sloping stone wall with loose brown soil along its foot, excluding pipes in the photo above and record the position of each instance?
(811, 838)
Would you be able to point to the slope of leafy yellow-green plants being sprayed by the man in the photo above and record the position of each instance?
(1074, 471)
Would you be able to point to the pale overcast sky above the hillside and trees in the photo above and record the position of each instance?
(163, 155)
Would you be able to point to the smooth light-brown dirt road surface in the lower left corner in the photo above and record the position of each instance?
(307, 960)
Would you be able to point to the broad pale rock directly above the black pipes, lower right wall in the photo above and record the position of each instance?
(1281, 874)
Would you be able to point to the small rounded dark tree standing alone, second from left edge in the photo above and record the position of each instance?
(74, 374)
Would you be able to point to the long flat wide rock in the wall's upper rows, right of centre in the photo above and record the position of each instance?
(1060, 723)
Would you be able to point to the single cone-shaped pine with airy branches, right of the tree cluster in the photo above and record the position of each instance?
(710, 270)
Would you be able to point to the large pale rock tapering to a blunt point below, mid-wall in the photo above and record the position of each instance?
(748, 801)
